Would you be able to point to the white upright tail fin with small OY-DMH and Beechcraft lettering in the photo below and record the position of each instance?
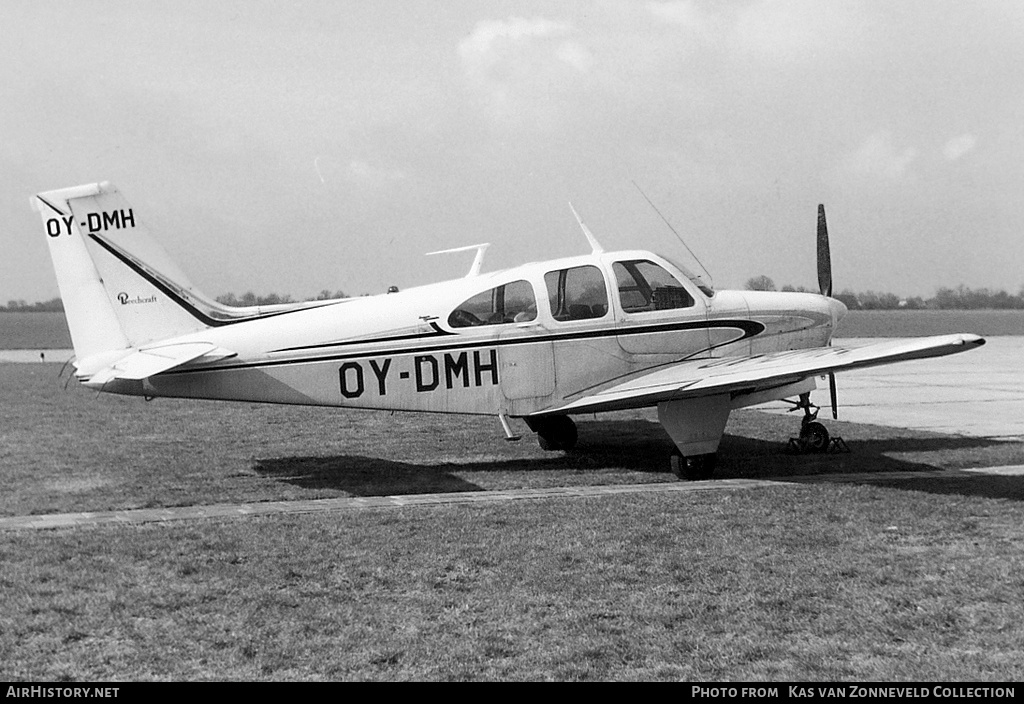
(120, 288)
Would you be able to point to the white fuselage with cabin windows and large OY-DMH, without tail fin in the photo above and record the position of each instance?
(515, 342)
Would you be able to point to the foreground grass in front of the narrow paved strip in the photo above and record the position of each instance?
(817, 584)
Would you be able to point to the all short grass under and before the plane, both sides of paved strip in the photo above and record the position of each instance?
(888, 581)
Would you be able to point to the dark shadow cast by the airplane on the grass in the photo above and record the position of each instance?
(641, 447)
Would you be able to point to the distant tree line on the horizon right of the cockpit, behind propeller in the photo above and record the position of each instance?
(961, 298)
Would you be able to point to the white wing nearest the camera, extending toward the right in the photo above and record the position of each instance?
(739, 376)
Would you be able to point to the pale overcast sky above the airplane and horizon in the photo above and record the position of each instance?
(295, 147)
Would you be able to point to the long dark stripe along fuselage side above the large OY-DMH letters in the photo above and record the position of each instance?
(750, 329)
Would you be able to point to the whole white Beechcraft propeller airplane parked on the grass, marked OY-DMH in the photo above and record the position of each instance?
(541, 342)
